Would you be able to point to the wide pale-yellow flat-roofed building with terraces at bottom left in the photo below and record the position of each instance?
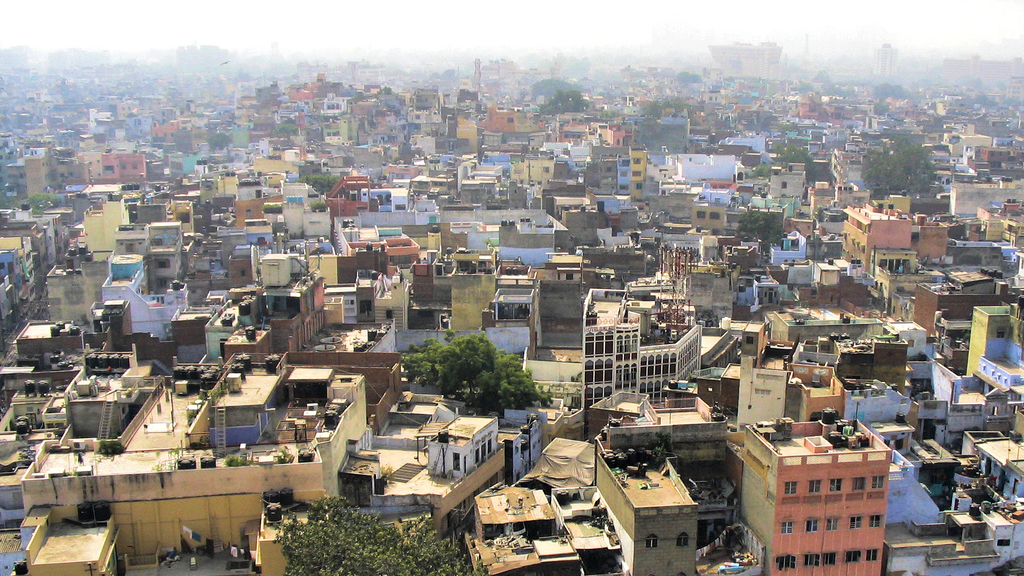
(164, 500)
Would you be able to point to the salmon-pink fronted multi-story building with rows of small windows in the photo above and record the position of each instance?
(816, 495)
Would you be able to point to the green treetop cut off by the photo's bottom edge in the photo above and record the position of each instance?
(339, 541)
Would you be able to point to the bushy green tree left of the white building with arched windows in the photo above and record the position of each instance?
(472, 369)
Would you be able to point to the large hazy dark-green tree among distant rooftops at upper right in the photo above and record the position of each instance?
(899, 167)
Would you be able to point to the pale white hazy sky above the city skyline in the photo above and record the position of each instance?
(924, 27)
